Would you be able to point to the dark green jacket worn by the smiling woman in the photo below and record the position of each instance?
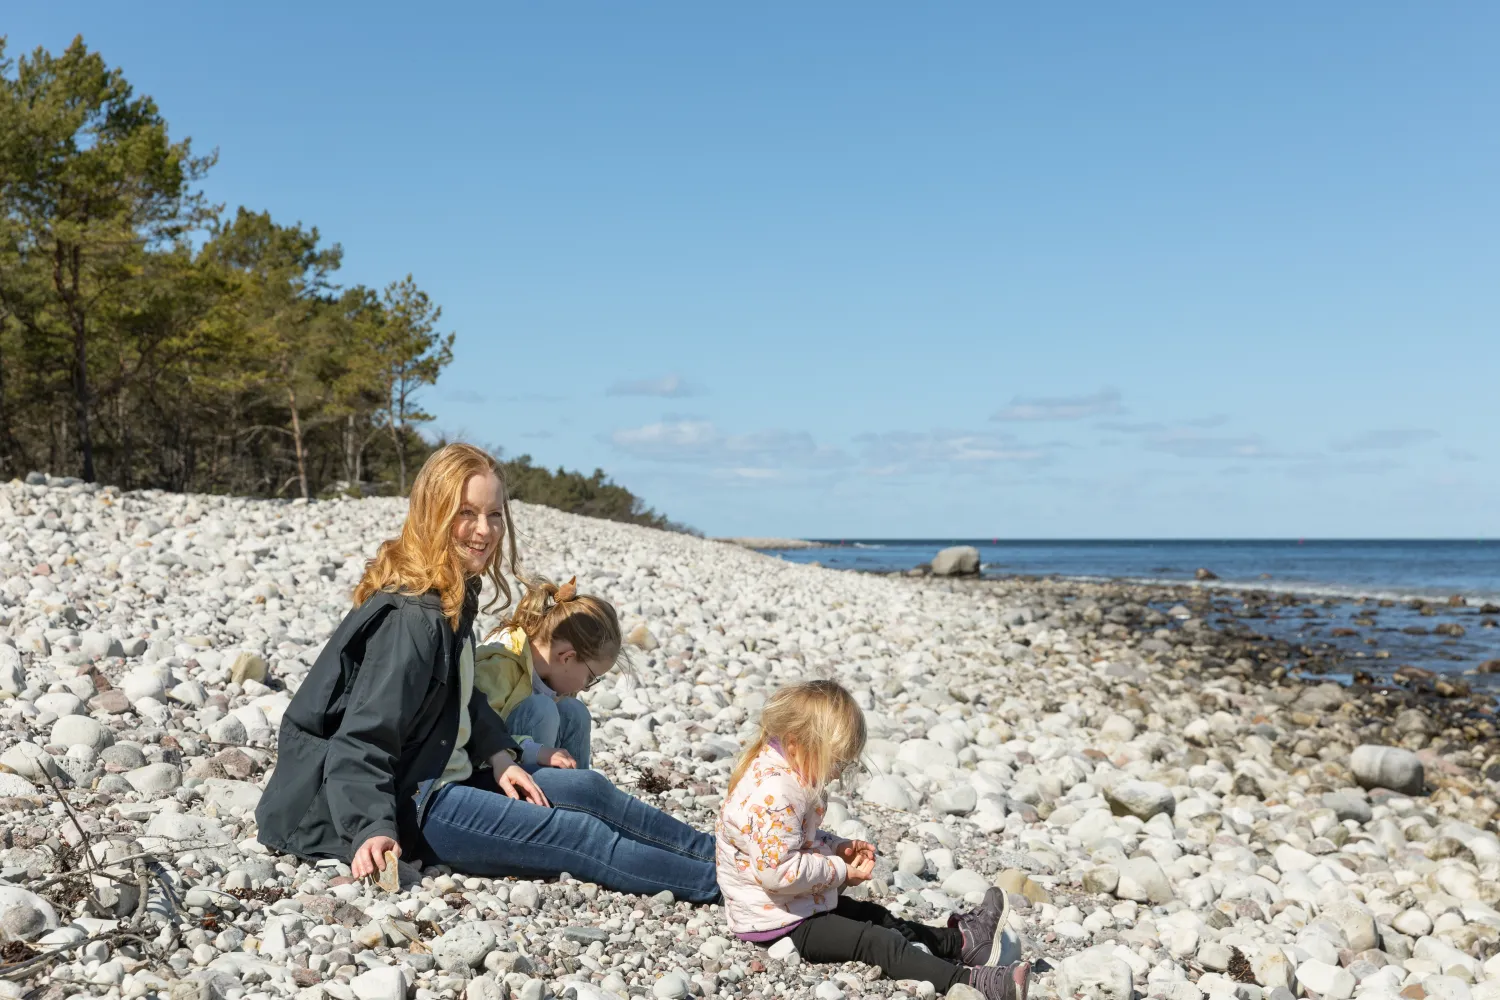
(373, 728)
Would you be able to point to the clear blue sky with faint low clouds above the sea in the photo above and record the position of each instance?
(880, 269)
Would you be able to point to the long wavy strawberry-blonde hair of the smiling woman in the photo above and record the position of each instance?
(424, 557)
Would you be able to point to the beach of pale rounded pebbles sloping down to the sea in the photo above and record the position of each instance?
(1174, 812)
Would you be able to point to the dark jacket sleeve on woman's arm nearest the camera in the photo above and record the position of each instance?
(400, 659)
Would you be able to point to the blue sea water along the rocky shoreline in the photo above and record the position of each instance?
(1334, 572)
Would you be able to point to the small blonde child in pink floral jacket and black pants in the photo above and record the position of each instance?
(781, 875)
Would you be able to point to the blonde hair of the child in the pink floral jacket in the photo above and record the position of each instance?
(820, 726)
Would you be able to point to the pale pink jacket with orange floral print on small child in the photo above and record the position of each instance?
(775, 866)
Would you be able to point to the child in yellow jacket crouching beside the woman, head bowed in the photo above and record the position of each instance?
(557, 644)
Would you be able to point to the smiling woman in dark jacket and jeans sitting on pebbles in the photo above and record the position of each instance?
(391, 749)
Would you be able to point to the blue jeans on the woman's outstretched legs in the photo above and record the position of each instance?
(593, 831)
